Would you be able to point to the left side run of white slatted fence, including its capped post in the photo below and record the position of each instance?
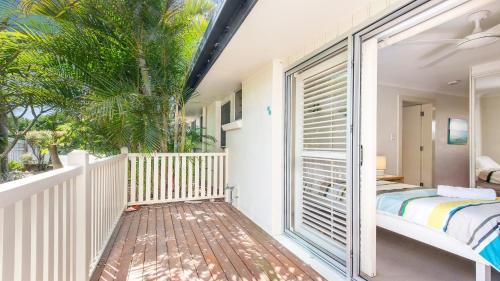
(54, 226)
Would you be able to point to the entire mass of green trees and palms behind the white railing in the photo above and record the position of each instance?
(115, 68)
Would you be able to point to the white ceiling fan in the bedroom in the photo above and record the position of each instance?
(478, 38)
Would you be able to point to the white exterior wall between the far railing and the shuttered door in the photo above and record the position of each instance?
(255, 150)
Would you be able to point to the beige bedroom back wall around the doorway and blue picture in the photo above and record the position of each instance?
(451, 162)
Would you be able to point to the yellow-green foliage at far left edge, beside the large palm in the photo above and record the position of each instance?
(30, 81)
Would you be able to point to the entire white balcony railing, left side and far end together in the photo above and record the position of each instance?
(55, 225)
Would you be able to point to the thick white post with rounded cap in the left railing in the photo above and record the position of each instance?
(82, 214)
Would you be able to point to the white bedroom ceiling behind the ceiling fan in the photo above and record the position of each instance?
(399, 64)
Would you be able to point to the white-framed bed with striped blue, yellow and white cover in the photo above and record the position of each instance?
(468, 228)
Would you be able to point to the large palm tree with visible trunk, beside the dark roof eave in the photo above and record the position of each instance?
(132, 57)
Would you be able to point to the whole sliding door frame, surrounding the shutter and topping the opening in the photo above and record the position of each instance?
(414, 11)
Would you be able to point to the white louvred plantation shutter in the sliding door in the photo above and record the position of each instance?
(320, 154)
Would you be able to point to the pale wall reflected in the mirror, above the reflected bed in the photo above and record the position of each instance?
(490, 127)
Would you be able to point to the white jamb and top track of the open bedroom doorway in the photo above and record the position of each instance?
(414, 17)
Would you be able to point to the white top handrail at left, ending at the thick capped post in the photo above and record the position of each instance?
(13, 191)
